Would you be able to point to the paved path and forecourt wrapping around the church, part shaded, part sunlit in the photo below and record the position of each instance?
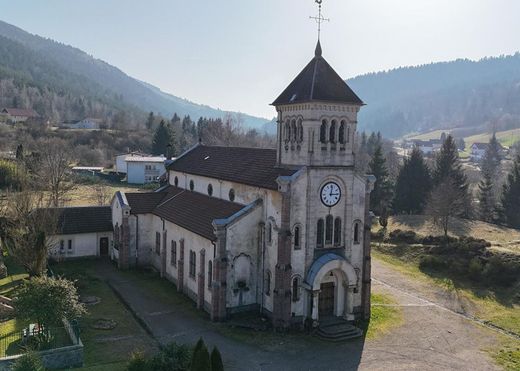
(431, 338)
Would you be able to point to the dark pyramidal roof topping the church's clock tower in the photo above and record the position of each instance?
(318, 82)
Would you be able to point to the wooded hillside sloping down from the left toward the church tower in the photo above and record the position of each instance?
(63, 82)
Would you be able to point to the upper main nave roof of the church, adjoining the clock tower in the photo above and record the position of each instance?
(251, 166)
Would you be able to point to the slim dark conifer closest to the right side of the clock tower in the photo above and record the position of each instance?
(381, 194)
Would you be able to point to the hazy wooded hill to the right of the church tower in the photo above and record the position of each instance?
(471, 95)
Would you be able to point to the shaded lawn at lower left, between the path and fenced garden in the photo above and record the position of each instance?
(105, 349)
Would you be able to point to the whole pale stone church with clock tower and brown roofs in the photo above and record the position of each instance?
(284, 232)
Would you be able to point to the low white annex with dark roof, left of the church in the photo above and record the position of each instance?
(81, 232)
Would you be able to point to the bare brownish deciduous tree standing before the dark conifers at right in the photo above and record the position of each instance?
(446, 202)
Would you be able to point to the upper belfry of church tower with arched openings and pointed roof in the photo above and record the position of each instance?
(317, 118)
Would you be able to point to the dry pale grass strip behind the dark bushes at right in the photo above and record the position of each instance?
(502, 238)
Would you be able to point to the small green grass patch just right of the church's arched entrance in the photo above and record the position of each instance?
(383, 319)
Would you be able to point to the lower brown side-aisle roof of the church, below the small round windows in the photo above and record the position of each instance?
(190, 210)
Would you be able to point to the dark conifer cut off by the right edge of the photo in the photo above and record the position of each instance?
(510, 210)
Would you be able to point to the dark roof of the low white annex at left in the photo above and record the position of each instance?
(91, 219)
